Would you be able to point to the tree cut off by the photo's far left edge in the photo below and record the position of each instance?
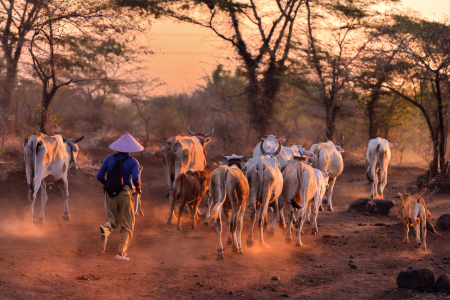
(16, 21)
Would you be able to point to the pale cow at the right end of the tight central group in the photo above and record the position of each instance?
(328, 158)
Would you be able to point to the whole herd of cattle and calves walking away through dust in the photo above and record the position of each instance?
(275, 177)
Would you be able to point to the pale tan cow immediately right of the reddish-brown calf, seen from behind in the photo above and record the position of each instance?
(228, 192)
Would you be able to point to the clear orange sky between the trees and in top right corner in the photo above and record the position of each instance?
(185, 53)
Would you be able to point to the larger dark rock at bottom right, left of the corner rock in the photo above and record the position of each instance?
(416, 279)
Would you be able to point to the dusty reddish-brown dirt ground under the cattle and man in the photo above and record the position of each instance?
(45, 262)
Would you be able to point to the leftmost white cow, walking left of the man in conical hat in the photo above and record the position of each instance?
(47, 159)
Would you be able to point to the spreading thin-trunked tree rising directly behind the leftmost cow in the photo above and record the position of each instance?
(58, 22)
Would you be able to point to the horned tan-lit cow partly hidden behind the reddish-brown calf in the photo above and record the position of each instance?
(181, 154)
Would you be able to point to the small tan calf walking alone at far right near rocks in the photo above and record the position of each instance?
(415, 213)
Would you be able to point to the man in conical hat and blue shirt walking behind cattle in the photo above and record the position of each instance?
(120, 175)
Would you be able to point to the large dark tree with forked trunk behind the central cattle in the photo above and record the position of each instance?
(260, 33)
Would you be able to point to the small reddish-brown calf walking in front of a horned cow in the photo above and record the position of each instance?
(190, 187)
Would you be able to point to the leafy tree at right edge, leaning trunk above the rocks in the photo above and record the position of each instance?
(422, 50)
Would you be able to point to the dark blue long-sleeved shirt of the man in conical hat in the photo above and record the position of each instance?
(129, 166)
